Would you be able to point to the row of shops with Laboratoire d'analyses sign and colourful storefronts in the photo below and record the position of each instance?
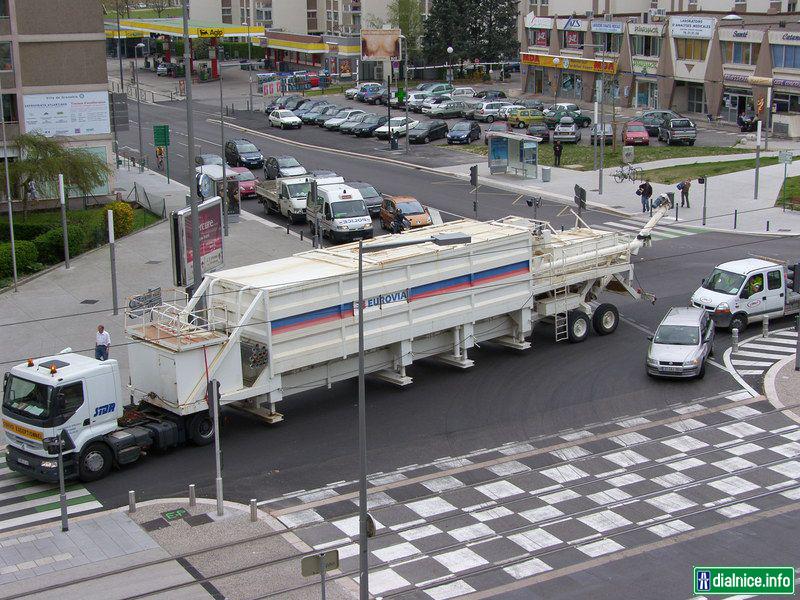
(709, 64)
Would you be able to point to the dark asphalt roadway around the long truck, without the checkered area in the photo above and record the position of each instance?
(446, 412)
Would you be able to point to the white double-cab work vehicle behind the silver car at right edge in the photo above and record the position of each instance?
(742, 291)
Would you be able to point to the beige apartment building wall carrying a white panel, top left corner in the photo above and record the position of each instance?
(53, 73)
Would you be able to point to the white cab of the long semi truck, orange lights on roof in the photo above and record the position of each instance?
(68, 392)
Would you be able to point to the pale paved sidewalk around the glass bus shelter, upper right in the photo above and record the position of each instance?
(726, 193)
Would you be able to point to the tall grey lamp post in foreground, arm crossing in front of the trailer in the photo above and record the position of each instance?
(443, 239)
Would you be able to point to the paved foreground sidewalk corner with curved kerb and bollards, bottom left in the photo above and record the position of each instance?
(119, 555)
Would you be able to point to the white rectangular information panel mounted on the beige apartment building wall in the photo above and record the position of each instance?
(67, 114)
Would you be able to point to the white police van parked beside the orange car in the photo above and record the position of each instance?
(340, 212)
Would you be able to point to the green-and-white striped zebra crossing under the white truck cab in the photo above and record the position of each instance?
(24, 501)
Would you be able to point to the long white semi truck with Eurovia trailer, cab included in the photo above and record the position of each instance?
(279, 328)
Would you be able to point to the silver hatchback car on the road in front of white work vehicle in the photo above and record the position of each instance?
(683, 342)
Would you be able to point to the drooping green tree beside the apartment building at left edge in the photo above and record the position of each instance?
(43, 159)
